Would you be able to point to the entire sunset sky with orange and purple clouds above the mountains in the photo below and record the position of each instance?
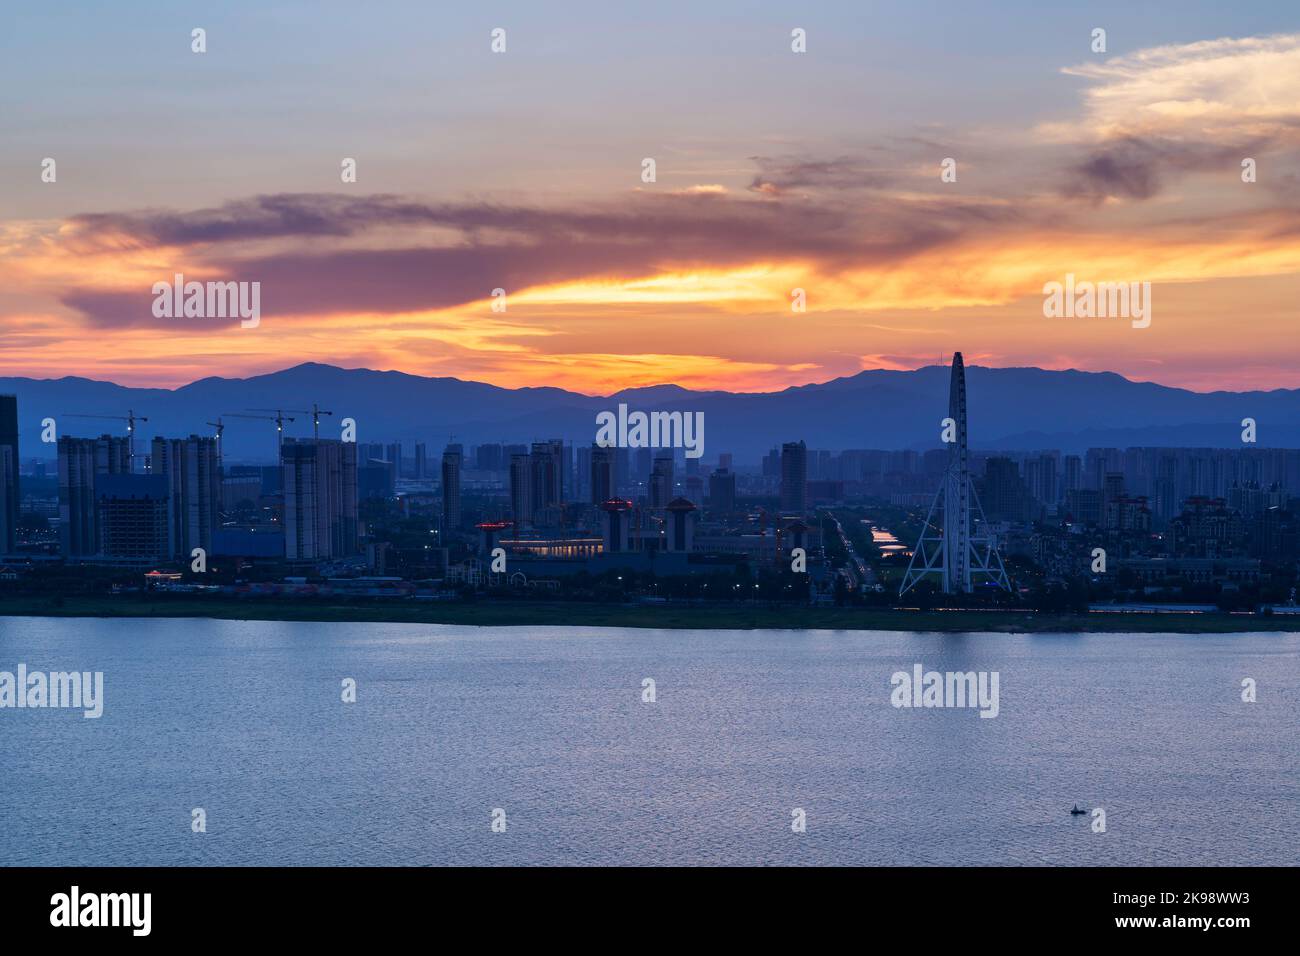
(775, 171)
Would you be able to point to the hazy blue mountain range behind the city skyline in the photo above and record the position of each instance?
(1009, 409)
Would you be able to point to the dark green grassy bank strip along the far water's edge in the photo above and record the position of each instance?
(669, 617)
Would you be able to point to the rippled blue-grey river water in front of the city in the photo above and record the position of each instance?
(246, 721)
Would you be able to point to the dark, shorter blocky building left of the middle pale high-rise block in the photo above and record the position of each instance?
(133, 517)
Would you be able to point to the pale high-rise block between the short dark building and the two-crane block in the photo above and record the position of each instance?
(193, 471)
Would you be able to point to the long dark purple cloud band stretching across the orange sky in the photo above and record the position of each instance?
(306, 265)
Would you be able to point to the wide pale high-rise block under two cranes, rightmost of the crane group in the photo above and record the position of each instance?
(320, 499)
